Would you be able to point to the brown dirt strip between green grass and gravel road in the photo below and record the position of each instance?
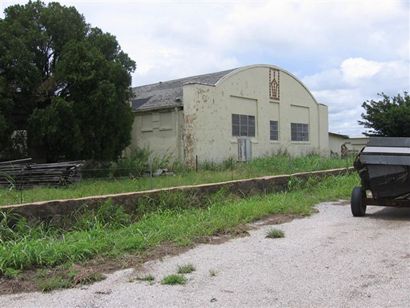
(91, 271)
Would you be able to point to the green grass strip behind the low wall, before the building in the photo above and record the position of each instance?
(210, 173)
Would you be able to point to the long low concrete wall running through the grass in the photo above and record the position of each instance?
(60, 208)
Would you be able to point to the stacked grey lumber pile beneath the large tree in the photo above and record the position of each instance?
(23, 173)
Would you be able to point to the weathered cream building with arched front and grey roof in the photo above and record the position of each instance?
(241, 113)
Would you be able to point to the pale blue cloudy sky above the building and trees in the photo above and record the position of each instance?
(345, 52)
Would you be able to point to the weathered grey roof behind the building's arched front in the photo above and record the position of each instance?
(168, 94)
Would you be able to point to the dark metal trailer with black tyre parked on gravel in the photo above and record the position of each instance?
(384, 169)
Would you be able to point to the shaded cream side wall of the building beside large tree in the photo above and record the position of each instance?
(160, 131)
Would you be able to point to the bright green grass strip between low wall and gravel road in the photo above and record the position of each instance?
(113, 234)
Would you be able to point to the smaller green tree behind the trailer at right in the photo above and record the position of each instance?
(388, 117)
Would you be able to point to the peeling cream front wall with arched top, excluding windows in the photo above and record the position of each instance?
(208, 115)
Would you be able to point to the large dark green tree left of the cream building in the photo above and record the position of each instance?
(65, 82)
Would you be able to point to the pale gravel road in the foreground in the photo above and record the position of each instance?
(328, 259)
